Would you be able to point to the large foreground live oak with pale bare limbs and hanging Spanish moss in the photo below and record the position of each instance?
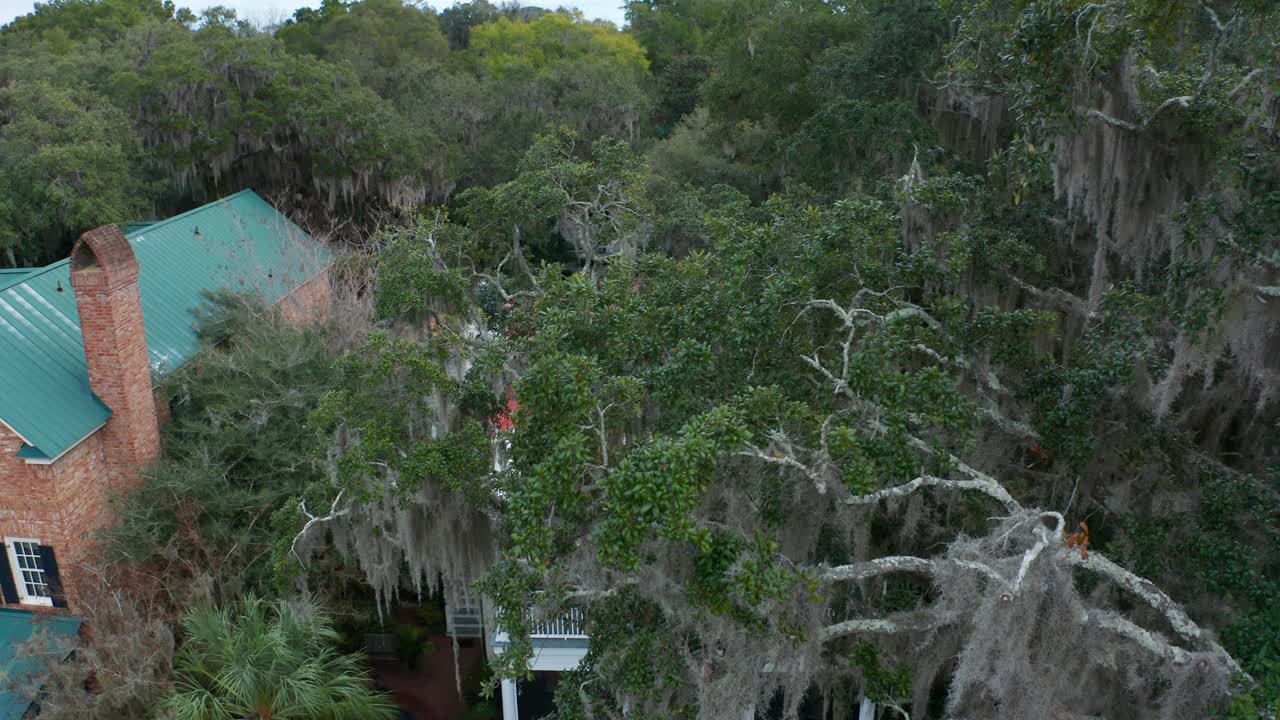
(756, 468)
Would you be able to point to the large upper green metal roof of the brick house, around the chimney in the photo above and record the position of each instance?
(240, 244)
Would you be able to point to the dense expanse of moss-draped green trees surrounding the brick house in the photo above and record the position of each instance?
(925, 352)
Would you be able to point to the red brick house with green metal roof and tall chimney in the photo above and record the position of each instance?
(83, 344)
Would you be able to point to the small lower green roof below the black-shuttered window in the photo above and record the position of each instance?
(56, 635)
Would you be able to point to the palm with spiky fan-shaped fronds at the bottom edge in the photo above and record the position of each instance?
(259, 660)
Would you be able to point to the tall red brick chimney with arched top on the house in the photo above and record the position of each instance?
(106, 279)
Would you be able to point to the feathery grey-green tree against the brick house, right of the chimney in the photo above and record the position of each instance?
(235, 452)
